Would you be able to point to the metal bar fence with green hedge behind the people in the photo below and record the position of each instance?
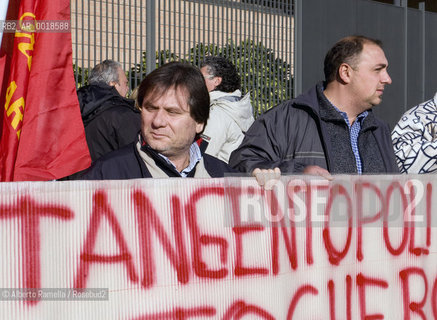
(256, 35)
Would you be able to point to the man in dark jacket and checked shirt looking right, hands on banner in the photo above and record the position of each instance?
(329, 129)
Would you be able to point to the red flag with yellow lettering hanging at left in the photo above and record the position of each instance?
(42, 133)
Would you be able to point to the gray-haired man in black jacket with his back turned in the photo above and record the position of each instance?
(110, 119)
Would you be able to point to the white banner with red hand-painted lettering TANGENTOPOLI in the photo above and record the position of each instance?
(357, 247)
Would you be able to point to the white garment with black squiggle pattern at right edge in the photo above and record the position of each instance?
(415, 138)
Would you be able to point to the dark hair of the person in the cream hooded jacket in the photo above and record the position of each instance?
(221, 67)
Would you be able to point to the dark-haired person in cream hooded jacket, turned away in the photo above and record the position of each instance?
(231, 114)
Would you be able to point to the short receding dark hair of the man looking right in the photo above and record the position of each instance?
(346, 50)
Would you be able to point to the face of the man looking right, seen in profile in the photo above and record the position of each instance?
(369, 77)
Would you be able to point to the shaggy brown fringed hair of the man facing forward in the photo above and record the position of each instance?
(178, 75)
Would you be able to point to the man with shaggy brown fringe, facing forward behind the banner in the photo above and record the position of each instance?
(174, 104)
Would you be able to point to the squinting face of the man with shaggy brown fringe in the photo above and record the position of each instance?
(167, 125)
